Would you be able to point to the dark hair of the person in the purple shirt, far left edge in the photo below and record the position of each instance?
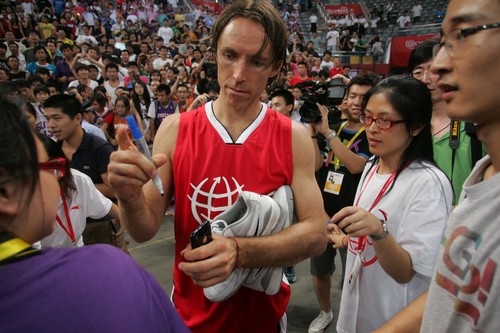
(19, 160)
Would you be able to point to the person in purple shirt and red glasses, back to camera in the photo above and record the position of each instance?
(94, 288)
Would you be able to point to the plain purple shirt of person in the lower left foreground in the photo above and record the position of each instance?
(95, 288)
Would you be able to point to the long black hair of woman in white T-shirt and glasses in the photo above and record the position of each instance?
(412, 100)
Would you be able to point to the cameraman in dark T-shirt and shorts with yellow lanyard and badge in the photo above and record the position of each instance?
(343, 153)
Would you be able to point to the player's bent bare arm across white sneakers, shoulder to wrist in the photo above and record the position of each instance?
(308, 236)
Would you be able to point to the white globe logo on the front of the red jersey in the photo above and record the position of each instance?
(209, 199)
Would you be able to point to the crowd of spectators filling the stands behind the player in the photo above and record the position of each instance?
(157, 53)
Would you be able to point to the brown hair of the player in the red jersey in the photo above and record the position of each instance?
(262, 12)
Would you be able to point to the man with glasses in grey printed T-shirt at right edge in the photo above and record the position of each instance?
(463, 296)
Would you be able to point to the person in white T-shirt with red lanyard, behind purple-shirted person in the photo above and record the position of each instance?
(79, 199)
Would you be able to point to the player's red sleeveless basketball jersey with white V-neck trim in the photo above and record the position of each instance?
(209, 172)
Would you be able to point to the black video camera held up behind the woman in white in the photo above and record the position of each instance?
(328, 94)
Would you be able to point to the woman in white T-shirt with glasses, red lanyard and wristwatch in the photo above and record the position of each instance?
(393, 230)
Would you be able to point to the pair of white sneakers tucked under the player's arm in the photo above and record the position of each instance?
(253, 215)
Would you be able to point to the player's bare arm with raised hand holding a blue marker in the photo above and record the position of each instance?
(141, 206)
